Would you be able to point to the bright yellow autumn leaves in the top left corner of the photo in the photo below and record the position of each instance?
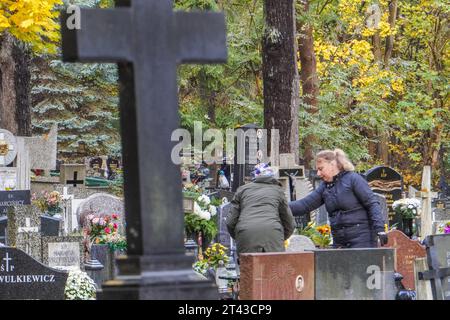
(32, 21)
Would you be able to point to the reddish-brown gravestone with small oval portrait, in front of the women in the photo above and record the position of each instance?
(277, 276)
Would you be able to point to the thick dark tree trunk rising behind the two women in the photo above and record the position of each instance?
(280, 74)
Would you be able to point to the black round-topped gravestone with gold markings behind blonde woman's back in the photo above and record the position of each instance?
(388, 182)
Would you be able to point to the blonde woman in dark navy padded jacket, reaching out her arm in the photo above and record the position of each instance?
(355, 213)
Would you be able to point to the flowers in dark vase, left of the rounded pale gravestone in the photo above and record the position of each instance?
(50, 205)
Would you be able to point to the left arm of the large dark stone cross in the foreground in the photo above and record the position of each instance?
(104, 36)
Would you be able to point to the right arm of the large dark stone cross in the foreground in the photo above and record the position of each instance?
(201, 37)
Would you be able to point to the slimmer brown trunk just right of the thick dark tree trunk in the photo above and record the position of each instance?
(309, 79)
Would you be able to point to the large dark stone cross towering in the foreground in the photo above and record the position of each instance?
(148, 39)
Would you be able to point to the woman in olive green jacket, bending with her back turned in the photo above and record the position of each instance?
(260, 219)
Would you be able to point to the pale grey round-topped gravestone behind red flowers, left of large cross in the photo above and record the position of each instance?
(101, 204)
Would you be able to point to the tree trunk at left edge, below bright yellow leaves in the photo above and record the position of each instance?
(15, 88)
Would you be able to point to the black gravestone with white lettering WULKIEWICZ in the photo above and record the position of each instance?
(22, 277)
